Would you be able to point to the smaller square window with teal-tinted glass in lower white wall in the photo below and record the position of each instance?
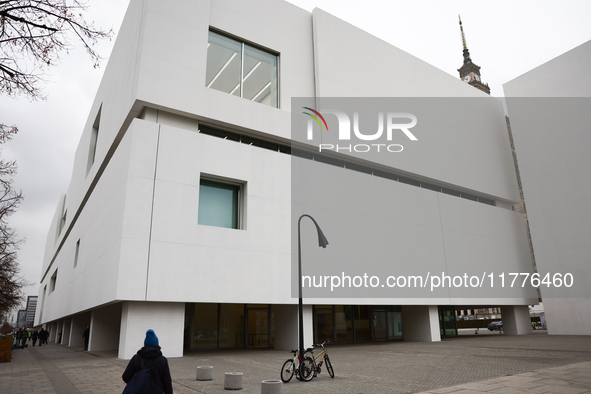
(219, 204)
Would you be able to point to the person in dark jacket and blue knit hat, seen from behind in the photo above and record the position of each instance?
(150, 354)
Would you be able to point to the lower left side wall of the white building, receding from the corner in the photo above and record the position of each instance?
(93, 281)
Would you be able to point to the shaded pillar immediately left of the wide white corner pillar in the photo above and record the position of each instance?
(106, 326)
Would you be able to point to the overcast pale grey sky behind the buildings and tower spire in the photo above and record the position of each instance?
(505, 38)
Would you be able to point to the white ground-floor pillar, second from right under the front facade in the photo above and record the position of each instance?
(420, 323)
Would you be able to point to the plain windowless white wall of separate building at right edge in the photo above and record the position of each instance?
(552, 146)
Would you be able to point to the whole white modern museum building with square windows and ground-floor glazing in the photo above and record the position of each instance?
(180, 212)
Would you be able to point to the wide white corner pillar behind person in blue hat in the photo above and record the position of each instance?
(167, 319)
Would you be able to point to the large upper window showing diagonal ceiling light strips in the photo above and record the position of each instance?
(242, 70)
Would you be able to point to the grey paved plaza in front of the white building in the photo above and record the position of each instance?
(495, 363)
